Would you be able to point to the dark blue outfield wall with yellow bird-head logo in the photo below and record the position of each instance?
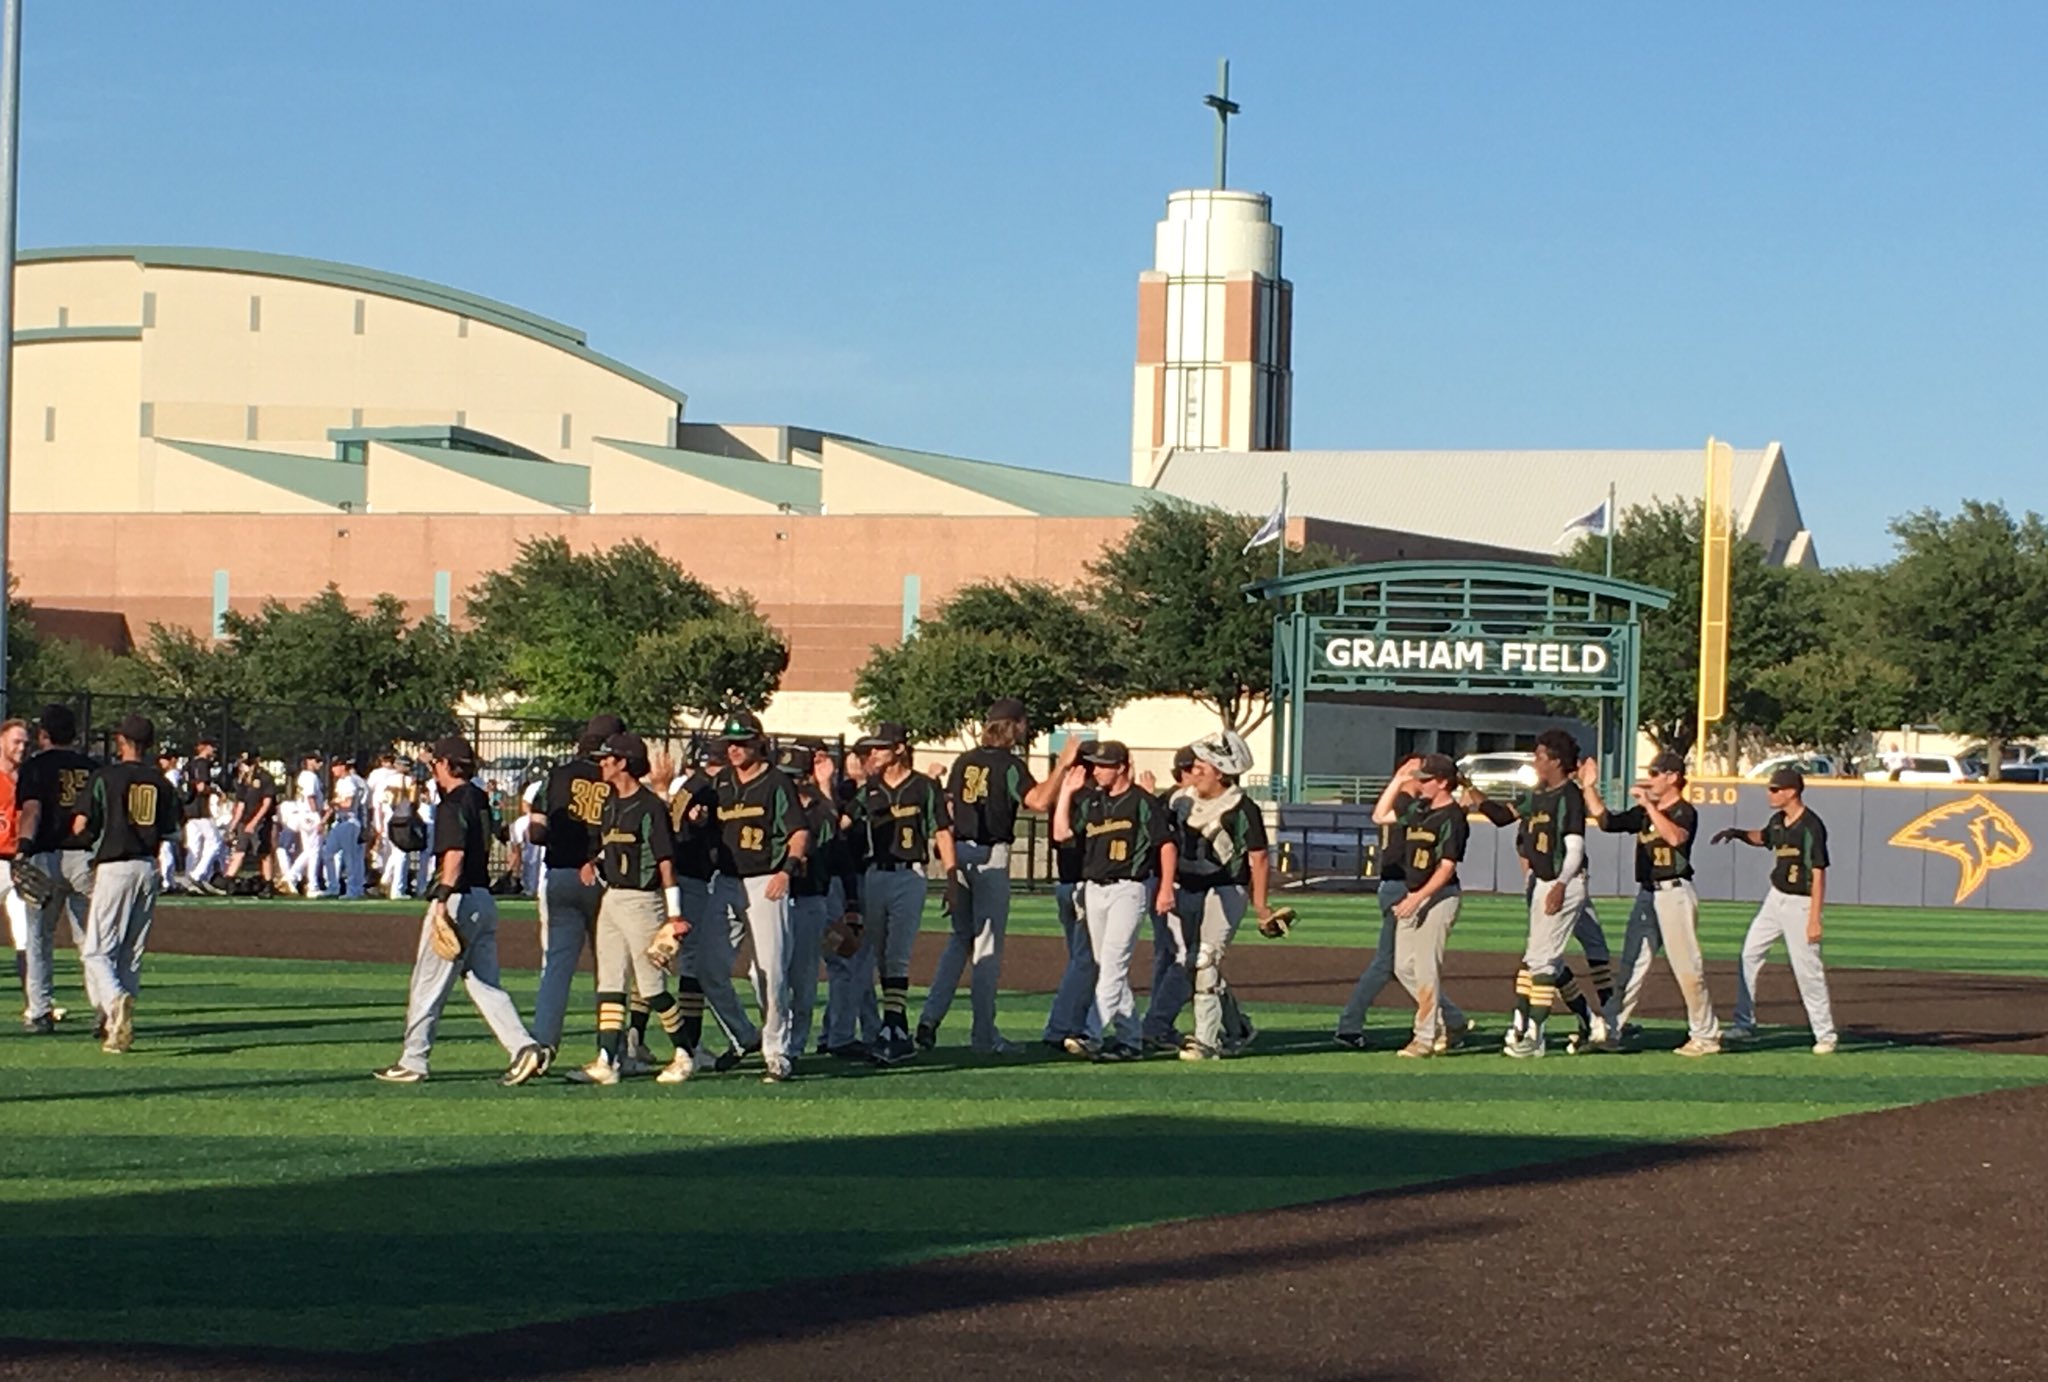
(1891, 845)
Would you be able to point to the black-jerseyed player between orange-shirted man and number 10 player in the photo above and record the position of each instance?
(50, 793)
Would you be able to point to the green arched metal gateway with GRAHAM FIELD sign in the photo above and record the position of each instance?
(1459, 628)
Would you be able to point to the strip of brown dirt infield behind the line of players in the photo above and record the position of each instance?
(1955, 1010)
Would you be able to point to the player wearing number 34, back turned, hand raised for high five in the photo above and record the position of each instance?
(988, 787)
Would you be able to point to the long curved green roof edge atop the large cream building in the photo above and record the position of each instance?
(364, 282)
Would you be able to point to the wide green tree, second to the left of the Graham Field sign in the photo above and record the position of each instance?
(1025, 640)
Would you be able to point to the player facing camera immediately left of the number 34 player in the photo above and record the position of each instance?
(906, 824)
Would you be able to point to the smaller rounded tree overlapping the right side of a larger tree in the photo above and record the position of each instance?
(732, 660)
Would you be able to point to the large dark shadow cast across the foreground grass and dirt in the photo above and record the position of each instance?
(515, 1268)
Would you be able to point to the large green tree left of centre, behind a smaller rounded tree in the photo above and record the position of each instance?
(556, 628)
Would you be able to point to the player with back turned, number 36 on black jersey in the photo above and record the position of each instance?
(564, 820)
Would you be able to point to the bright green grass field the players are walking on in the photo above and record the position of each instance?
(257, 1189)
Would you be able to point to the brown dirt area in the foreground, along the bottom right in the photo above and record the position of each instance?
(1881, 1246)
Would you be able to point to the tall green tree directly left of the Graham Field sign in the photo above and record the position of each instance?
(1175, 593)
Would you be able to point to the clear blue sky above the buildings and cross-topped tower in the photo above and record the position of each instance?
(1506, 224)
